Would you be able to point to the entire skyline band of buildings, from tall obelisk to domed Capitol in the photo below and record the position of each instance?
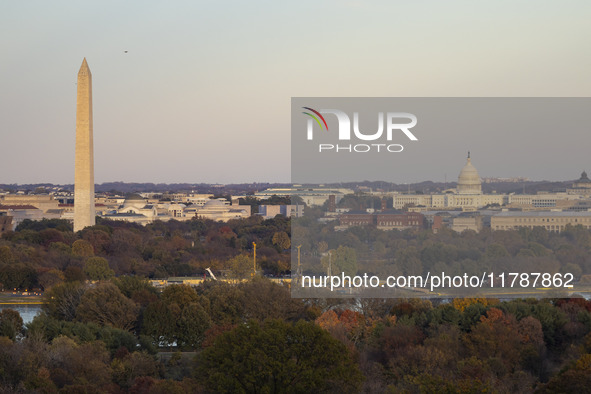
(465, 207)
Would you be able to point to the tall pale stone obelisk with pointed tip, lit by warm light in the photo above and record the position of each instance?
(84, 166)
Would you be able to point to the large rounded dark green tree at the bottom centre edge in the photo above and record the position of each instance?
(276, 356)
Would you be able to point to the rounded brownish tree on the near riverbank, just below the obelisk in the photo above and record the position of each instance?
(106, 305)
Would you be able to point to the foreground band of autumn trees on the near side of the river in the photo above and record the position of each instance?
(123, 335)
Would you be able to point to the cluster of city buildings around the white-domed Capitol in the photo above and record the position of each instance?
(466, 207)
